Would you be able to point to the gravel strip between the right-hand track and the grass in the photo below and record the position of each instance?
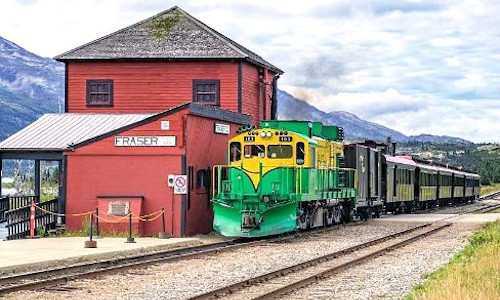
(393, 275)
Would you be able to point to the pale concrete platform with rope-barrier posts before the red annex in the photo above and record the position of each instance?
(30, 254)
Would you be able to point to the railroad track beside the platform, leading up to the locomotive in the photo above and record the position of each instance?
(57, 276)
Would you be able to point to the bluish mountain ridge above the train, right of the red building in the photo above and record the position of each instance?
(355, 129)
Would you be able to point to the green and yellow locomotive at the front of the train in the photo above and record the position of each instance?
(283, 176)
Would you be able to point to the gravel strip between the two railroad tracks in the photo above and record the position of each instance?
(180, 280)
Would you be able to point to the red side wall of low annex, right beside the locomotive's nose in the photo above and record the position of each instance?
(204, 149)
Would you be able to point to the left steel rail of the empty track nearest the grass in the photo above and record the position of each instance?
(218, 293)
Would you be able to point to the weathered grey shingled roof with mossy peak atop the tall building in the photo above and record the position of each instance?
(171, 34)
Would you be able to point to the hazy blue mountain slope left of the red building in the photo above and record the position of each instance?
(30, 86)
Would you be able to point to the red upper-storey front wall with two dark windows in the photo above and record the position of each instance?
(150, 86)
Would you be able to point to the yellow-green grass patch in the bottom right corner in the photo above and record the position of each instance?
(474, 273)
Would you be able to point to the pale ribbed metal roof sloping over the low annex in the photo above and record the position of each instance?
(60, 131)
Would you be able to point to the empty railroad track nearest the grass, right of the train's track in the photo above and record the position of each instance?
(283, 281)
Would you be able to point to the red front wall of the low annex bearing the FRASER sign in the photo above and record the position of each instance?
(101, 168)
